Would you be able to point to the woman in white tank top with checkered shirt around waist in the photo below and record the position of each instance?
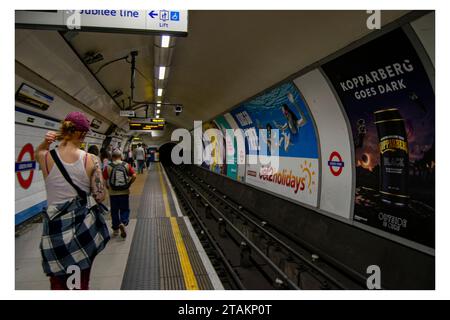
(74, 230)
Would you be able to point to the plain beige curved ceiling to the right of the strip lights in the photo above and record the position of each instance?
(240, 53)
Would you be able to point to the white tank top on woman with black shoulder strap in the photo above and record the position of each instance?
(58, 189)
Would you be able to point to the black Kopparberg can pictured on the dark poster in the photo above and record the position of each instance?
(394, 158)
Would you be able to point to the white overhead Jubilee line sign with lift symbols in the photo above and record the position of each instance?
(125, 21)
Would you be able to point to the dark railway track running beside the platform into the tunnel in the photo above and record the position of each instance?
(247, 252)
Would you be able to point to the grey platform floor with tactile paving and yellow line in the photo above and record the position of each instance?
(161, 251)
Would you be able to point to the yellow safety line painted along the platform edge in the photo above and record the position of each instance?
(188, 274)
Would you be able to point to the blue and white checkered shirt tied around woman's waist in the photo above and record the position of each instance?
(73, 234)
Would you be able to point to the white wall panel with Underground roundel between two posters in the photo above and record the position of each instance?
(336, 190)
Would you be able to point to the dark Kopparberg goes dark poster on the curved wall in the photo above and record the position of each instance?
(390, 104)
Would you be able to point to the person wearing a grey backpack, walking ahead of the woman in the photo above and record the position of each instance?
(119, 175)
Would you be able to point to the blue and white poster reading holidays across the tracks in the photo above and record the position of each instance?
(297, 174)
